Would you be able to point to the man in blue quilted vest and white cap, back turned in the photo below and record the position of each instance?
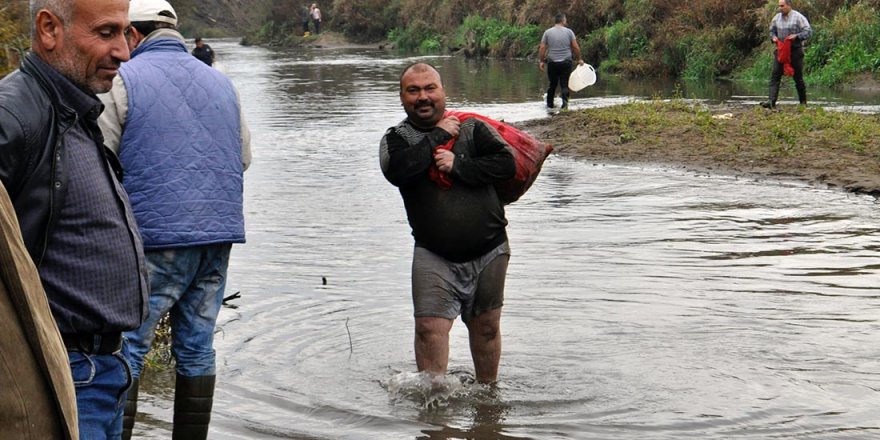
(177, 127)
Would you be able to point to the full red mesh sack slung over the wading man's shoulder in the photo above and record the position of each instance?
(528, 152)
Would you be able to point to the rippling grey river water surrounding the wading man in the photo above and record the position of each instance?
(641, 303)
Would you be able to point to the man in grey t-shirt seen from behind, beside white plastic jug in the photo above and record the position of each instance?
(557, 51)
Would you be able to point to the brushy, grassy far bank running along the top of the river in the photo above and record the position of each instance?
(711, 38)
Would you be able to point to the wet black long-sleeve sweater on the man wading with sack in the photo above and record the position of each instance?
(467, 220)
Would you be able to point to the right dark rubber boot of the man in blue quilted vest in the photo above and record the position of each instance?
(193, 399)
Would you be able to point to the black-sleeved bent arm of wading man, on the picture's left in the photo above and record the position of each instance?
(401, 162)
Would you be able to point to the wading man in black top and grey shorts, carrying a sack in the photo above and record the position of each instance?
(461, 249)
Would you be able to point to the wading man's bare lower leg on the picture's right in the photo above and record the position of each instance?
(485, 340)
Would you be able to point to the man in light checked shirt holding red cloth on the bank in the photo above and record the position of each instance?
(790, 25)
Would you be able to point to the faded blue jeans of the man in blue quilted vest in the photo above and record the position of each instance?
(189, 283)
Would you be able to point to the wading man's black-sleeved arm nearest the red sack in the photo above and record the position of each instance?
(493, 160)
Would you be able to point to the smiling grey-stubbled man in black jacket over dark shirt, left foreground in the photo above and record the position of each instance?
(73, 212)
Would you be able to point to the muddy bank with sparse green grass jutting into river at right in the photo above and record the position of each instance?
(829, 148)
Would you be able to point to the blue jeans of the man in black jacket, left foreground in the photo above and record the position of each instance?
(101, 383)
